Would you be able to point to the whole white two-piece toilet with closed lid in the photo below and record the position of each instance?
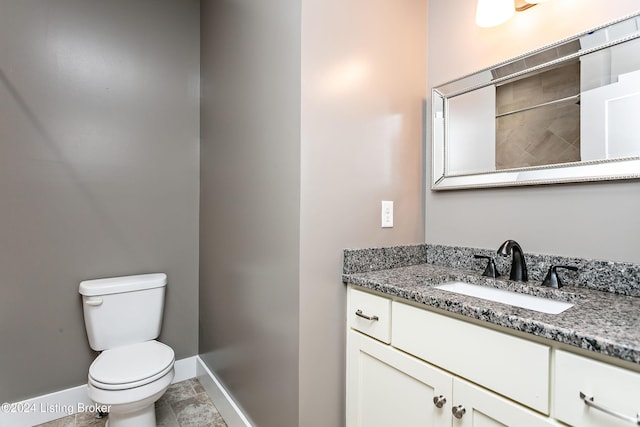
(123, 316)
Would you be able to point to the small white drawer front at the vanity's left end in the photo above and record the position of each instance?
(378, 311)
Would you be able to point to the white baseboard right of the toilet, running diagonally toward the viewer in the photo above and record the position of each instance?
(221, 398)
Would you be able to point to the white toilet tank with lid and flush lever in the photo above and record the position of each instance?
(123, 310)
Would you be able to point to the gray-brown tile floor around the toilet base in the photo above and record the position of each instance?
(185, 404)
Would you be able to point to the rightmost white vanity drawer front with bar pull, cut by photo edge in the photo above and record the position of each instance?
(612, 389)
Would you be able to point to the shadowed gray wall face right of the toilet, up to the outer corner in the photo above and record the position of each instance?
(250, 198)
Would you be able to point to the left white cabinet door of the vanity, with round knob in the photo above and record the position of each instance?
(386, 387)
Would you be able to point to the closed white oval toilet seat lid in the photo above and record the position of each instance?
(131, 366)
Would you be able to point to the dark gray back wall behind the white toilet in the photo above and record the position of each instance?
(98, 173)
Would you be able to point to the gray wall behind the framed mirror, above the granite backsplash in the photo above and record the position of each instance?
(592, 220)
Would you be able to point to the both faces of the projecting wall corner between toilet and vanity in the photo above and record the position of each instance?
(311, 115)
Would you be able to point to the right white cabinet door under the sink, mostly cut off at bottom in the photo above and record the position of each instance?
(477, 407)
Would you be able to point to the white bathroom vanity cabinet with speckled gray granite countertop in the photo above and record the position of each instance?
(417, 355)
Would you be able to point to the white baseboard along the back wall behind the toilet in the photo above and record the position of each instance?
(49, 407)
